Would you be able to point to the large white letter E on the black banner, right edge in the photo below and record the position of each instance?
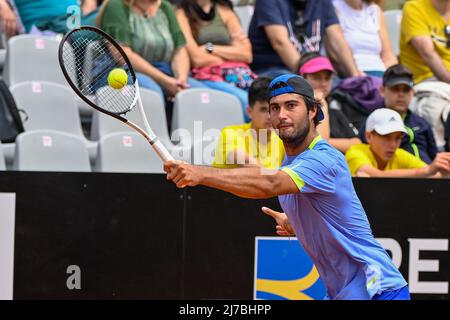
(416, 265)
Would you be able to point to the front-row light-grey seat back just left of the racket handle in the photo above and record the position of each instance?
(127, 152)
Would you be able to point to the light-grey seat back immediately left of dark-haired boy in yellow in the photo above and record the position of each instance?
(200, 114)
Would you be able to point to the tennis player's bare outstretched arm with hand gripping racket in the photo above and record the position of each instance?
(251, 182)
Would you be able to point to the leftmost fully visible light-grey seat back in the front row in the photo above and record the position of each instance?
(47, 150)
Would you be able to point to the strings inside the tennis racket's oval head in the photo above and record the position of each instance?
(88, 59)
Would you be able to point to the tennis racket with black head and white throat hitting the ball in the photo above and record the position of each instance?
(90, 80)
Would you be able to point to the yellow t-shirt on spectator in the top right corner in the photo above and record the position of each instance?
(420, 18)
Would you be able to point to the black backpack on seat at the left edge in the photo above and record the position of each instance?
(10, 122)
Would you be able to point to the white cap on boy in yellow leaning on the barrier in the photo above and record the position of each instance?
(385, 121)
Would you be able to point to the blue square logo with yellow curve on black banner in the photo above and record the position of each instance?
(283, 271)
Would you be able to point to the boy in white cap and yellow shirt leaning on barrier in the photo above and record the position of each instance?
(382, 157)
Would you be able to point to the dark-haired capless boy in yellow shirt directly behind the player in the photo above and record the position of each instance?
(253, 143)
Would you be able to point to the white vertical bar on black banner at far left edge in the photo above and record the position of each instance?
(7, 223)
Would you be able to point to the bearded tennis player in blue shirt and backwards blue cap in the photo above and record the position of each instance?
(315, 190)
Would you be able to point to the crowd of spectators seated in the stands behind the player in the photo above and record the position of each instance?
(387, 113)
